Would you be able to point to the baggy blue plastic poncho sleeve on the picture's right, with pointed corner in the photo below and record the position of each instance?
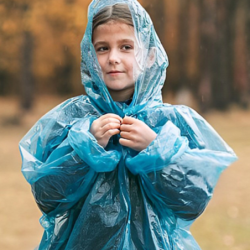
(181, 167)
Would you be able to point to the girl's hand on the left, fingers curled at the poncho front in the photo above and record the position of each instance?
(104, 127)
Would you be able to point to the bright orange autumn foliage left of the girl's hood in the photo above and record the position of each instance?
(55, 26)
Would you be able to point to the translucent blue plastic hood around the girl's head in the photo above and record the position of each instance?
(151, 79)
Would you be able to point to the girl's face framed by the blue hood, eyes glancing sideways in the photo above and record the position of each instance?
(114, 44)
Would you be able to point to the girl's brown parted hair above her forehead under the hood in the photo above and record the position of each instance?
(117, 12)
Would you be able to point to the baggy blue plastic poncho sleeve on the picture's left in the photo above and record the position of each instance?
(59, 157)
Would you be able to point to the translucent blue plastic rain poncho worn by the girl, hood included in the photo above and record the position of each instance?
(97, 198)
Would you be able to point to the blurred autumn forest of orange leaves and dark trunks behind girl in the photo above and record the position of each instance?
(208, 44)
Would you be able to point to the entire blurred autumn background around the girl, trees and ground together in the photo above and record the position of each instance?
(208, 44)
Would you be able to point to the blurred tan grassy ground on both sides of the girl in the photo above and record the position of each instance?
(225, 224)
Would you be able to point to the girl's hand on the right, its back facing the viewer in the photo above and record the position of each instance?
(135, 134)
